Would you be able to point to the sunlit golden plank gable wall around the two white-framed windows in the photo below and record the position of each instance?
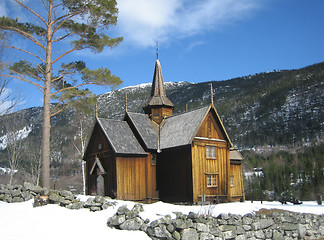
(210, 134)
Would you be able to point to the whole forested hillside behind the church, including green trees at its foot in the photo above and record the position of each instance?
(275, 118)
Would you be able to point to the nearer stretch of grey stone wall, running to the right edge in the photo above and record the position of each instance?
(271, 224)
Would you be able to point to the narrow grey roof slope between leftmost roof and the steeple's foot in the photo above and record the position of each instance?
(146, 129)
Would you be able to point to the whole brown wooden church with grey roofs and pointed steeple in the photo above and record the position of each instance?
(160, 156)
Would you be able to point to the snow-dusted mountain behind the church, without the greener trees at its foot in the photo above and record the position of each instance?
(266, 111)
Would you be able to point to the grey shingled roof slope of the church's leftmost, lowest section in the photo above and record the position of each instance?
(121, 137)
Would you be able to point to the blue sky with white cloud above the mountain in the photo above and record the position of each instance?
(204, 40)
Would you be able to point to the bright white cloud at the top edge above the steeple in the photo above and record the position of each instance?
(143, 22)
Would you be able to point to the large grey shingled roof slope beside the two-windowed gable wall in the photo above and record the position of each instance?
(181, 129)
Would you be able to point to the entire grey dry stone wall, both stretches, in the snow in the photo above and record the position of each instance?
(272, 224)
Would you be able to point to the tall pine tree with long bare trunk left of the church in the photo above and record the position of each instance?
(51, 23)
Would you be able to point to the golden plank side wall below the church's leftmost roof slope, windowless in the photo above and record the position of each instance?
(131, 178)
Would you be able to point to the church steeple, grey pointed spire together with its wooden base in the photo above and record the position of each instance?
(158, 105)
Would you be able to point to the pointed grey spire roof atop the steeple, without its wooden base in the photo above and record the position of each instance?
(158, 96)
